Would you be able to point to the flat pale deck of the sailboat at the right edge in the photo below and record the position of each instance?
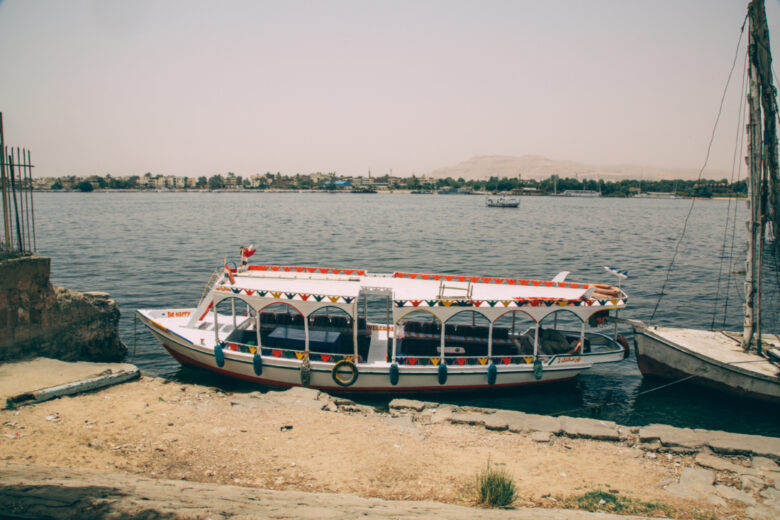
(724, 347)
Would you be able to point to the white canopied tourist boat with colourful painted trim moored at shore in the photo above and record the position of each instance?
(350, 330)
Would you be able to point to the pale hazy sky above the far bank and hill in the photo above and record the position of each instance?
(203, 87)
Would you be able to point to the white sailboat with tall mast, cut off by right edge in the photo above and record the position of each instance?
(742, 363)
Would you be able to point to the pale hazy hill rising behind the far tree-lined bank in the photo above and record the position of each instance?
(538, 167)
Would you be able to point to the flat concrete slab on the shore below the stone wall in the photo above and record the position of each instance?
(42, 379)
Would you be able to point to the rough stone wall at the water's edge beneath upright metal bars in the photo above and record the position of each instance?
(38, 319)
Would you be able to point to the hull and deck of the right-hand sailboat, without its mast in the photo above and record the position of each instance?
(660, 352)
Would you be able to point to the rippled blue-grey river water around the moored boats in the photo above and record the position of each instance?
(158, 250)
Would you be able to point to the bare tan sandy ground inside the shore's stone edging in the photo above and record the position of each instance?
(285, 441)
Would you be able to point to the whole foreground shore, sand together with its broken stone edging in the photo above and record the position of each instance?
(306, 442)
